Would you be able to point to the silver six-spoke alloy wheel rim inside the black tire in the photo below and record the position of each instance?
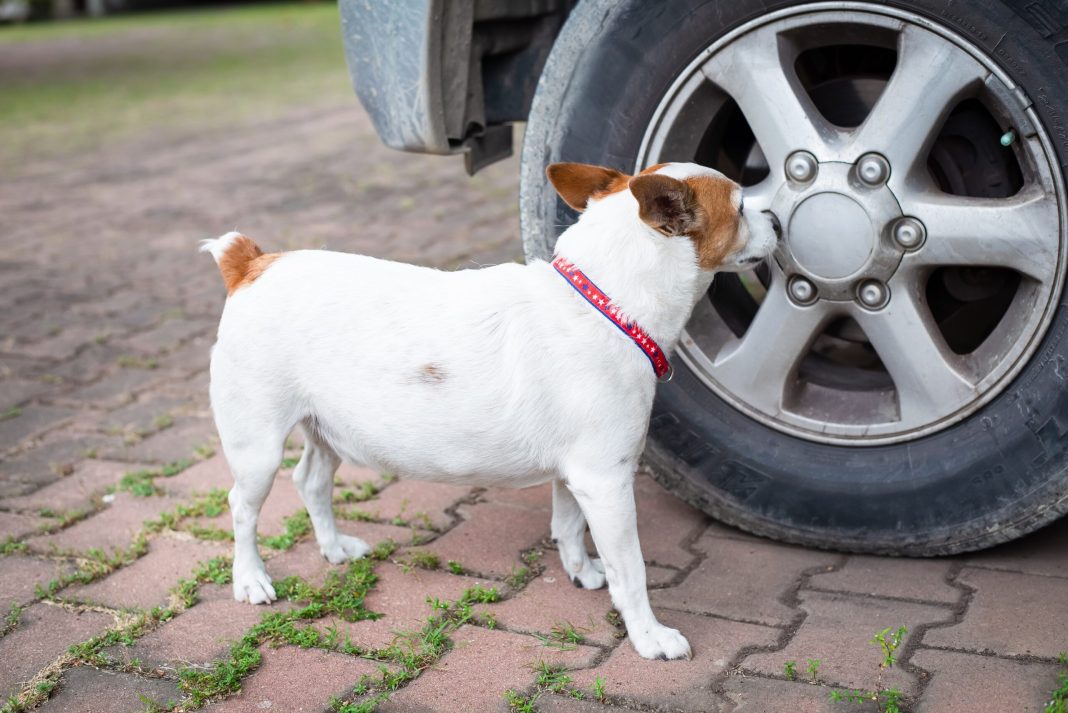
(890, 229)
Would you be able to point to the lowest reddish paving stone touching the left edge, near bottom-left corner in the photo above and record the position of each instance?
(44, 632)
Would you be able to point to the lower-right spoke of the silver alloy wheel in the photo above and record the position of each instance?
(930, 378)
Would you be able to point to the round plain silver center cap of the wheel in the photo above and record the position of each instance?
(831, 236)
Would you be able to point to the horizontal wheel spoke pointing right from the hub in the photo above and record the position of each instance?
(1018, 233)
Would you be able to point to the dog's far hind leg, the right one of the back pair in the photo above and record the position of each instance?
(315, 480)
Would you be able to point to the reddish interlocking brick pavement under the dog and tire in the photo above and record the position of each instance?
(106, 321)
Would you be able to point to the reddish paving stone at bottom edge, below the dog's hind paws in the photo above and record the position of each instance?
(297, 682)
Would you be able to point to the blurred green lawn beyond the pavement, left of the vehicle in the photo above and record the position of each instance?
(76, 86)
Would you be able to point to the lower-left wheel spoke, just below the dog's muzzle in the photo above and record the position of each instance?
(762, 363)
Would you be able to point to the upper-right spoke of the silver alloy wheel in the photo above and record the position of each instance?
(932, 77)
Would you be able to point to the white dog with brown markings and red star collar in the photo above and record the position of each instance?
(514, 375)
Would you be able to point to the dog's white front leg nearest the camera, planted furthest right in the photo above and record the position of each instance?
(608, 502)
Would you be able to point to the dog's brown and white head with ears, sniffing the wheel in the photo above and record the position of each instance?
(680, 200)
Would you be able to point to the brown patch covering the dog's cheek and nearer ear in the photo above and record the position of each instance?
(700, 208)
